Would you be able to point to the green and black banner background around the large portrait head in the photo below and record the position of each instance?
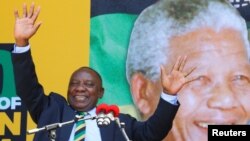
(111, 25)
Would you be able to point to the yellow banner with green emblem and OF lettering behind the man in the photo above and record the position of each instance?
(59, 47)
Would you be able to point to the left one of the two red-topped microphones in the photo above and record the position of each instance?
(101, 111)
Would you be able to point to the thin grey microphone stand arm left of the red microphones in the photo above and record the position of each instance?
(51, 128)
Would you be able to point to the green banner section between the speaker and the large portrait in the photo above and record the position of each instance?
(109, 38)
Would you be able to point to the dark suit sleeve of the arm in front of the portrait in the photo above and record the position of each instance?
(156, 127)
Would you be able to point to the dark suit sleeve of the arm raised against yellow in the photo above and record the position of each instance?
(27, 85)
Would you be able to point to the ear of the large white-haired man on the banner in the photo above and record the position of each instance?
(138, 86)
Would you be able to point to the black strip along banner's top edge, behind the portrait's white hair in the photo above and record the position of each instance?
(100, 7)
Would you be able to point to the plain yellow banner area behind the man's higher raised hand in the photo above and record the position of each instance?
(61, 44)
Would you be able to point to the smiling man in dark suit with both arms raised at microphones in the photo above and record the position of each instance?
(84, 90)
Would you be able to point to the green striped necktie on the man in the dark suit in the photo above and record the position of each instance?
(80, 129)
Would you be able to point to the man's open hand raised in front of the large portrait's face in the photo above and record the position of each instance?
(174, 80)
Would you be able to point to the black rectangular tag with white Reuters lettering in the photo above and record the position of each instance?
(223, 132)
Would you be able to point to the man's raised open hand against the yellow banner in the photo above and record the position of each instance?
(25, 25)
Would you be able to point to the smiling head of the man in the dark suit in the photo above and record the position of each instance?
(85, 88)
